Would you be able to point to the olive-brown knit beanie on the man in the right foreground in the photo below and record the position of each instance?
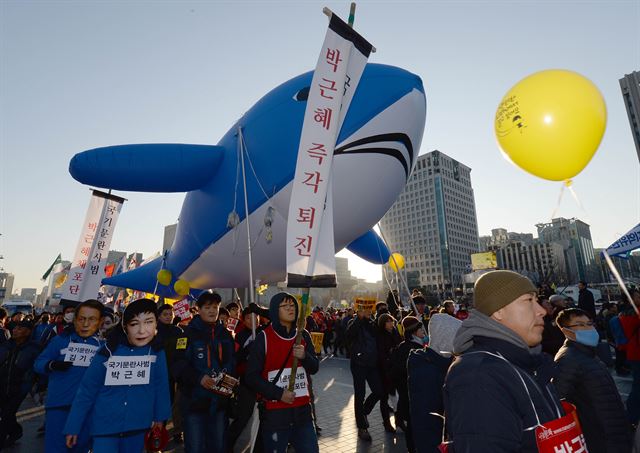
(497, 289)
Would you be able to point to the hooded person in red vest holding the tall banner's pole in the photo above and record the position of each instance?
(286, 418)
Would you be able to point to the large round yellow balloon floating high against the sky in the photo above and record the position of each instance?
(551, 123)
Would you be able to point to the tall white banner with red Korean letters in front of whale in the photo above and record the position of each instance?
(310, 246)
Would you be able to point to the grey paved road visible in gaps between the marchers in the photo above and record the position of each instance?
(334, 408)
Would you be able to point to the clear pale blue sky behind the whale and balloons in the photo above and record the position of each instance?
(76, 75)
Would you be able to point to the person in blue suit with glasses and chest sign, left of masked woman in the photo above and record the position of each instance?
(65, 371)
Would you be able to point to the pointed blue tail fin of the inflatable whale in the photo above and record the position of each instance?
(144, 278)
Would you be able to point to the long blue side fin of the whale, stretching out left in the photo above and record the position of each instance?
(159, 167)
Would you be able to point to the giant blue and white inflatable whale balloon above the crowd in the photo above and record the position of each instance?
(375, 153)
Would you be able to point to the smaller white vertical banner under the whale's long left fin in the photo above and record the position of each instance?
(87, 268)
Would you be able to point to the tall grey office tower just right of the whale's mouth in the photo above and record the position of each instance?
(433, 223)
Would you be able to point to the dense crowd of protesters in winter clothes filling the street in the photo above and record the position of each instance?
(487, 374)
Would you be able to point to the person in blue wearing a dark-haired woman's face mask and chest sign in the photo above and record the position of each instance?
(126, 389)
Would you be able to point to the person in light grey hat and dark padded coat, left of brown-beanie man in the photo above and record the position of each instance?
(426, 370)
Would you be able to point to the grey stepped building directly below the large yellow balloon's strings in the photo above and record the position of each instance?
(575, 237)
